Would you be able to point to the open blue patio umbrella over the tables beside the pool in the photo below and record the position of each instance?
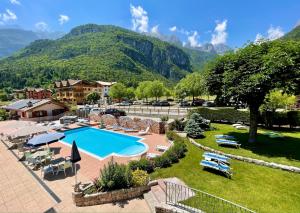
(45, 138)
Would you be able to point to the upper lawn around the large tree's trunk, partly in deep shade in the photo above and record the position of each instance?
(280, 150)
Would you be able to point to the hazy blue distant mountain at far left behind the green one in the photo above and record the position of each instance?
(14, 38)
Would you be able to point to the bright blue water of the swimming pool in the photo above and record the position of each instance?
(104, 143)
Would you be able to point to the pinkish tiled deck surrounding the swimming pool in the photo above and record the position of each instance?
(24, 190)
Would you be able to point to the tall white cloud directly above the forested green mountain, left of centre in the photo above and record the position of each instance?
(139, 19)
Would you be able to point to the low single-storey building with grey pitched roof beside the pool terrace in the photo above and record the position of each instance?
(36, 109)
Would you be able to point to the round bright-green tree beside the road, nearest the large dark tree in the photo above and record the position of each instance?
(193, 85)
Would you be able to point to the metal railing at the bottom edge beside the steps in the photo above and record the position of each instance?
(193, 200)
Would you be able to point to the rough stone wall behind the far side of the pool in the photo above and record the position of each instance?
(157, 127)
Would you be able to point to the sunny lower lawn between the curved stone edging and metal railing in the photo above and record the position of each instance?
(256, 187)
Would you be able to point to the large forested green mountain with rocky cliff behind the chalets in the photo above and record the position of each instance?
(95, 52)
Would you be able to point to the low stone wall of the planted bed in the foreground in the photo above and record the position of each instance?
(80, 199)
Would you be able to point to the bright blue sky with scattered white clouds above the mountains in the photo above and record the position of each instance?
(195, 22)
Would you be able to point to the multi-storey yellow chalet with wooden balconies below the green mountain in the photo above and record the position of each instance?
(75, 91)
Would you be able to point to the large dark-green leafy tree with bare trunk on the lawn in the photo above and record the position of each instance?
(250, 73)
